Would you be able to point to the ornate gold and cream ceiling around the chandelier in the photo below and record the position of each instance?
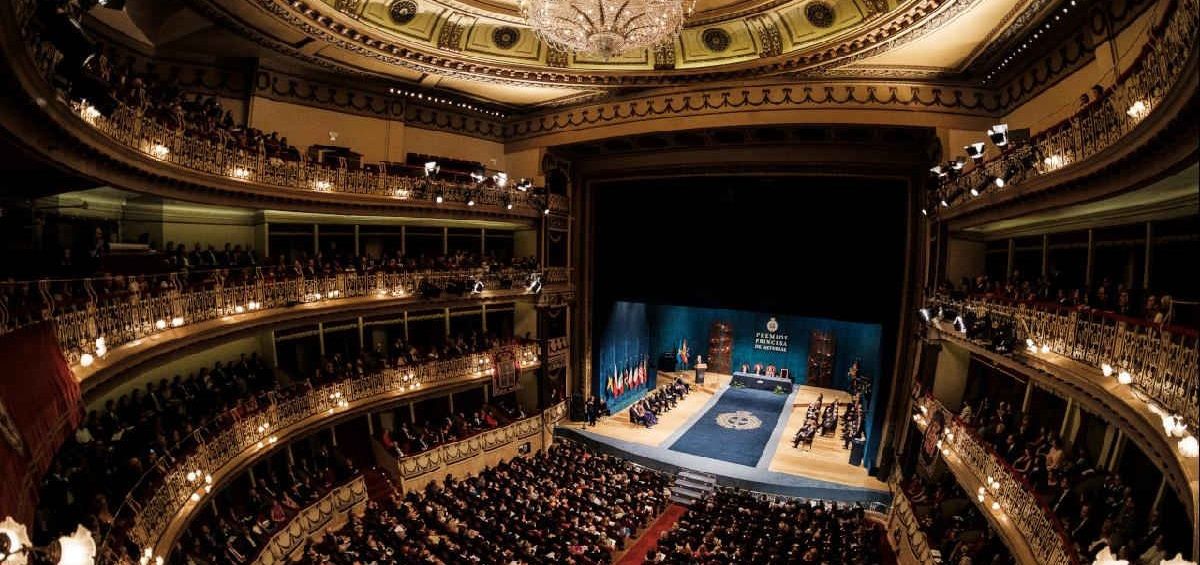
(482, 47)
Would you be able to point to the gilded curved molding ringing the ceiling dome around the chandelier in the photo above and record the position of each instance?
(776, 51)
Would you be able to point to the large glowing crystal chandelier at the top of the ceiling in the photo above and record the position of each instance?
(605, 28)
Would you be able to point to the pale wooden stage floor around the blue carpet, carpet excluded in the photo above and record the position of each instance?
(825, 468)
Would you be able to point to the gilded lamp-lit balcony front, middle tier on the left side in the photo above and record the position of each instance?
(101, 339)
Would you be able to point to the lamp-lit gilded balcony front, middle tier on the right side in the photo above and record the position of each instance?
(1139, 377)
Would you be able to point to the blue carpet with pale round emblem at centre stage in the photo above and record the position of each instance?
(736, 429)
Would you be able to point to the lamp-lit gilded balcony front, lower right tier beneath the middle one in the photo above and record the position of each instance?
(1030, 530)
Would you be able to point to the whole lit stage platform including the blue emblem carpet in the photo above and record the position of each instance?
(743, 437)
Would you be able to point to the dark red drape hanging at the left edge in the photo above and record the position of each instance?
(39, 408)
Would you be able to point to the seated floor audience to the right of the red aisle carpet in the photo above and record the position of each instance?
(737, 527)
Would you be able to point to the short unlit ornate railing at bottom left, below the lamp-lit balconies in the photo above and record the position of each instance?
(313, 521)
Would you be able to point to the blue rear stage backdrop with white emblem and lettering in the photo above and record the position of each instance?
(776, 340)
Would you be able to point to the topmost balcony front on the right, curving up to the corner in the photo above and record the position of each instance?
(1156, 88)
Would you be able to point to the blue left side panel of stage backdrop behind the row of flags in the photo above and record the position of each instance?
(625, 369)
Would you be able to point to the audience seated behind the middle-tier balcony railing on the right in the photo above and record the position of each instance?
(1108, 298)
